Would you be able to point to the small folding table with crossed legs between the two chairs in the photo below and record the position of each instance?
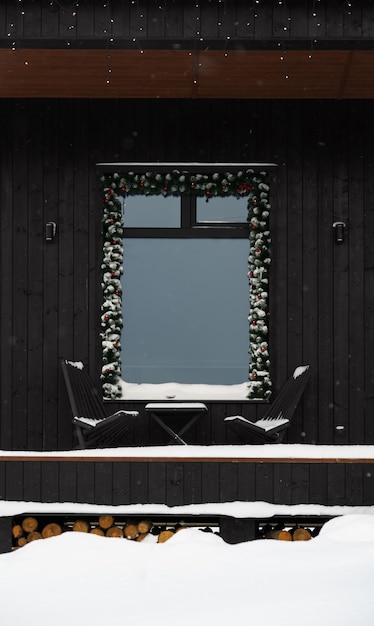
(160, 411)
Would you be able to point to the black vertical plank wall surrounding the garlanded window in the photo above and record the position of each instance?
(321, 298)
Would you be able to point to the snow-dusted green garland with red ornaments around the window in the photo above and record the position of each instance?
(176, 183)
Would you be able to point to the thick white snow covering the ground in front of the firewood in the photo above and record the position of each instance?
(195, 578)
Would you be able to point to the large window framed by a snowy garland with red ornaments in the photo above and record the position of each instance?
(187, 304)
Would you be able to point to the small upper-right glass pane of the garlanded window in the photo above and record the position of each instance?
(222, 209)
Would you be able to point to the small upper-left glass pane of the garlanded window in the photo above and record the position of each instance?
(151, 211)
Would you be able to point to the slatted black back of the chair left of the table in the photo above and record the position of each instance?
(84, 398)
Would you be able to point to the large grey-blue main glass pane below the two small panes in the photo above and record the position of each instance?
(185, 311)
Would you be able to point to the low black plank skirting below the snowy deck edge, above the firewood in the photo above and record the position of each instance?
(177, 483)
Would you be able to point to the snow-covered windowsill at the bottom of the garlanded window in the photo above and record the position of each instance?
(178, 391)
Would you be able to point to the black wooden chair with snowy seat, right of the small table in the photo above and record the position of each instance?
(272, 427)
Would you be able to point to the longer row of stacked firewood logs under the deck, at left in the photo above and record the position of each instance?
(29, 529)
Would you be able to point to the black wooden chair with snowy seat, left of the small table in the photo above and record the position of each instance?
(94, 428)
